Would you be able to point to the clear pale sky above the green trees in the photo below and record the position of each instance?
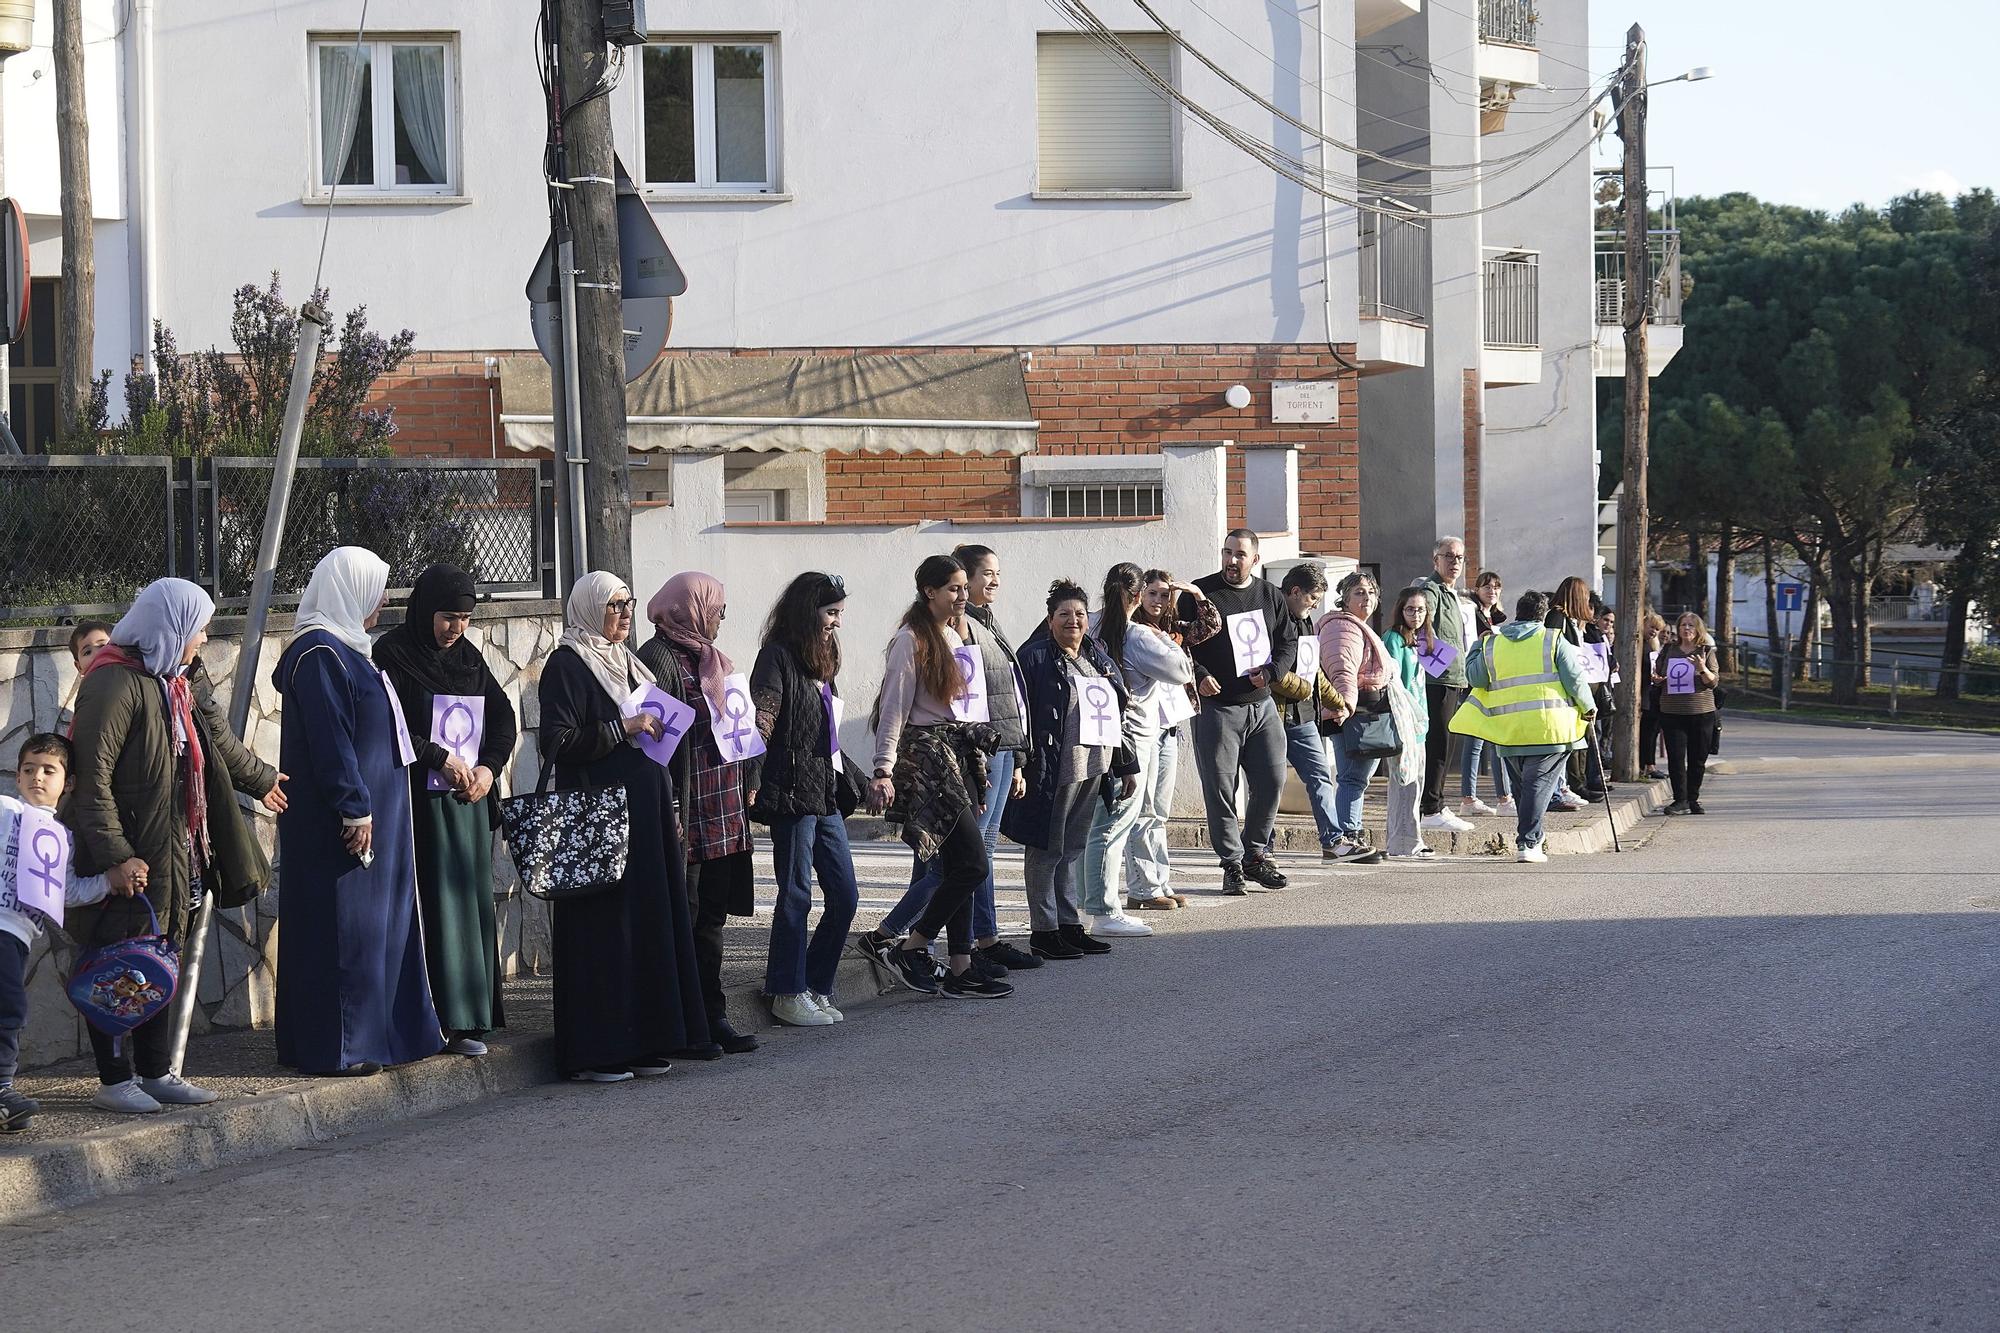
(1817, 103)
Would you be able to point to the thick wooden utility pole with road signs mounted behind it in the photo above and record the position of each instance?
(593, 211)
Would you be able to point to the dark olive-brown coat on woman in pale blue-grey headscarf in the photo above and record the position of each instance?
(125, 802)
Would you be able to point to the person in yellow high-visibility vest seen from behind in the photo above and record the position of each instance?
(1531, 700)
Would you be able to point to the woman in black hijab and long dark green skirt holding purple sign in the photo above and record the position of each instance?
(463, 732)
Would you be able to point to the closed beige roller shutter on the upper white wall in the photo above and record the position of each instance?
(1101, 125)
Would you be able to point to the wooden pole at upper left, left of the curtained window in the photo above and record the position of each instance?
(79, 309)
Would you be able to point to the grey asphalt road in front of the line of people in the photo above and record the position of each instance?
(1743, 1078)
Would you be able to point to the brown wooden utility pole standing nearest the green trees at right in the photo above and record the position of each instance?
(1637, 309)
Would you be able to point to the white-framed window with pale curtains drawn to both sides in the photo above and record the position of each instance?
(387, 115)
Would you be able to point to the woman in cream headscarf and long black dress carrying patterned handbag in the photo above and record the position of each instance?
(627, 986)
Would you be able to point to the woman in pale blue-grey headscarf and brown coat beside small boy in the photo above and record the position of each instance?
(155, 812)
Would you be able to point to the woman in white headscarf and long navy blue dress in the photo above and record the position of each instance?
(353, 994)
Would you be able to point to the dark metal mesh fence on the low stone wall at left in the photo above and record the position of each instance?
(81, 535)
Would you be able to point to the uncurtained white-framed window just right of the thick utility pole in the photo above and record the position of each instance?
(709, 117)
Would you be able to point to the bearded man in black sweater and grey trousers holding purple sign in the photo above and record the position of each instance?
(1239, 730)
